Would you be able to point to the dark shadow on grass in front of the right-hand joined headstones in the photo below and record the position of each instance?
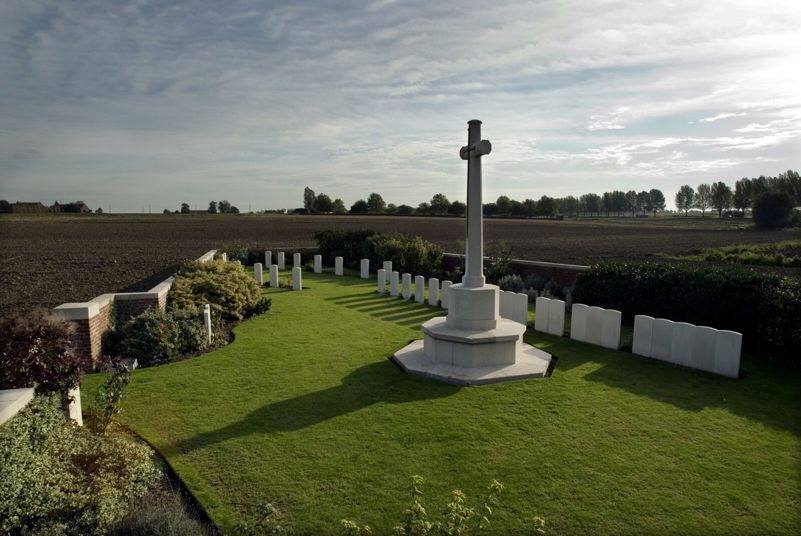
(768, 393)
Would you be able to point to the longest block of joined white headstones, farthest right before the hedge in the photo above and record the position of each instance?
(686, 344)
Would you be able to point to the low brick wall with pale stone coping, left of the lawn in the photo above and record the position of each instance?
(92, 319)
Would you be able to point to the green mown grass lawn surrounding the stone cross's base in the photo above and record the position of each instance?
(304, 410)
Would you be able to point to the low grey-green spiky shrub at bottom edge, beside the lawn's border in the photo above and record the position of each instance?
(160, 514)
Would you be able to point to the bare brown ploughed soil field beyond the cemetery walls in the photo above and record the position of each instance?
(46, 260)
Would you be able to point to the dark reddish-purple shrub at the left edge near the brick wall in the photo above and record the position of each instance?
(36, 351)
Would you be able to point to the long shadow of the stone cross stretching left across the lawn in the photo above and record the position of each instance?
(378, 382)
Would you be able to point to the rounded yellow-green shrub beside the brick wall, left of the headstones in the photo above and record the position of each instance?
(232, 293)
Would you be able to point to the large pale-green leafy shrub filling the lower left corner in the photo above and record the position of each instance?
(57, 478)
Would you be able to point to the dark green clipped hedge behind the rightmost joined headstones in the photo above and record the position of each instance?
(764, 307)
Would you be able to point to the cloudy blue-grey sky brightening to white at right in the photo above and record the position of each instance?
(140, 104)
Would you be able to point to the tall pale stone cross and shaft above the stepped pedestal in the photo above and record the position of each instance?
(474, 243)
